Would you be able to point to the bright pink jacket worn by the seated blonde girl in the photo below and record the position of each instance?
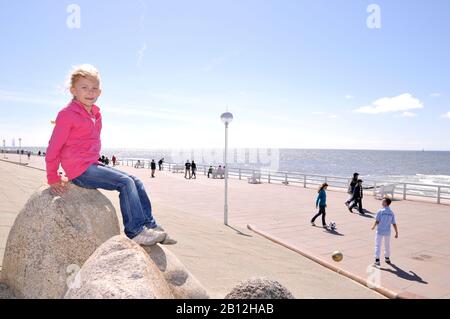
(75, 142)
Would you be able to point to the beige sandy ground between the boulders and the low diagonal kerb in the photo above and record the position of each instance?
(218, 256)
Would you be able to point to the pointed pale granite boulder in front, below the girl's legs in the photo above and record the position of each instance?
(119, 269)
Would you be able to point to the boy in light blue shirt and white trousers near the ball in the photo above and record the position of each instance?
(383, 221)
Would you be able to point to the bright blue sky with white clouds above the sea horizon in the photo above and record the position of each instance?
(297, 74)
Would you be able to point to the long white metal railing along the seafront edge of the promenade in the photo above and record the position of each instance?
(405, 189)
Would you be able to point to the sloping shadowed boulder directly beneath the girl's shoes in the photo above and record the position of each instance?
(181, 282)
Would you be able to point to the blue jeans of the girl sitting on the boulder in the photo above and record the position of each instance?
(135, 205)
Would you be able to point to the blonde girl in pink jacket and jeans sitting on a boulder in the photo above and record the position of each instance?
(75, 144)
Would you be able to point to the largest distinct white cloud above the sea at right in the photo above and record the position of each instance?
(400, 103)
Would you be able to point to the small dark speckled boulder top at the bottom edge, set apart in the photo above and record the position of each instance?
(259, 288)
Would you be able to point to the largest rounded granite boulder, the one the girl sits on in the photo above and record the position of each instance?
(54, 235)
